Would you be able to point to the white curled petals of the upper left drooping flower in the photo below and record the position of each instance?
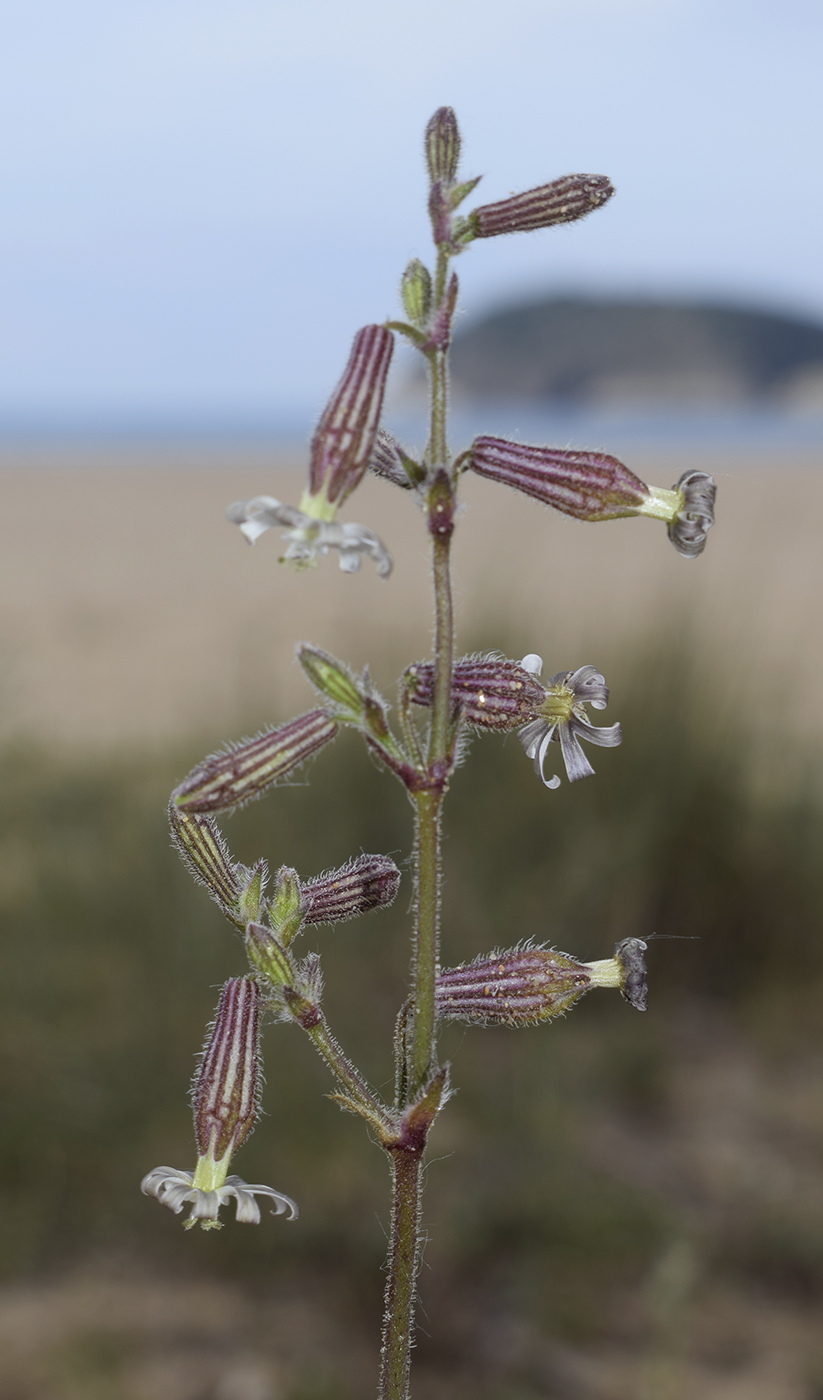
(309, 535)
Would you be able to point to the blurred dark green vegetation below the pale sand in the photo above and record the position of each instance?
(556, 1198)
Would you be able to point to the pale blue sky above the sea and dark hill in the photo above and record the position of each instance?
(204, 199)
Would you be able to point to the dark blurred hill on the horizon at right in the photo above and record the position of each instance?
(611, 351)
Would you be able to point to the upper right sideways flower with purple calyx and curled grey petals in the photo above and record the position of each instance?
(593, 486)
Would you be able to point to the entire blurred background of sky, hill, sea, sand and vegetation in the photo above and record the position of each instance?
(204, 204)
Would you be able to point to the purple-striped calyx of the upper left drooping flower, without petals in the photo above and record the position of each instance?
(345, 437)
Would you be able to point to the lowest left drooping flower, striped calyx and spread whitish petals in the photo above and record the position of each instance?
(226, 1102)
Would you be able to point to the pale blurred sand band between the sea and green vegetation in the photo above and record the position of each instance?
(132, 612)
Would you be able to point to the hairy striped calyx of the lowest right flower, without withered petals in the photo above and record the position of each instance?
(517, 988)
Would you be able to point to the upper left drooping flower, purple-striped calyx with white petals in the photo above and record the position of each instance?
(341, 454)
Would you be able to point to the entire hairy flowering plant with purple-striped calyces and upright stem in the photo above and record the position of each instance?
(440, 703)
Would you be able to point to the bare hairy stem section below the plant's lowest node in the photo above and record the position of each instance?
(404, 1263)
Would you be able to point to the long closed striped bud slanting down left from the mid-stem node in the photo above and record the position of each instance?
(227, 780)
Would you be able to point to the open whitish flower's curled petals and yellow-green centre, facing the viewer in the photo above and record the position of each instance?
(565, 719)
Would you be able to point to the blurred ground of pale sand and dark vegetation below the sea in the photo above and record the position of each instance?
(621, 1207)
